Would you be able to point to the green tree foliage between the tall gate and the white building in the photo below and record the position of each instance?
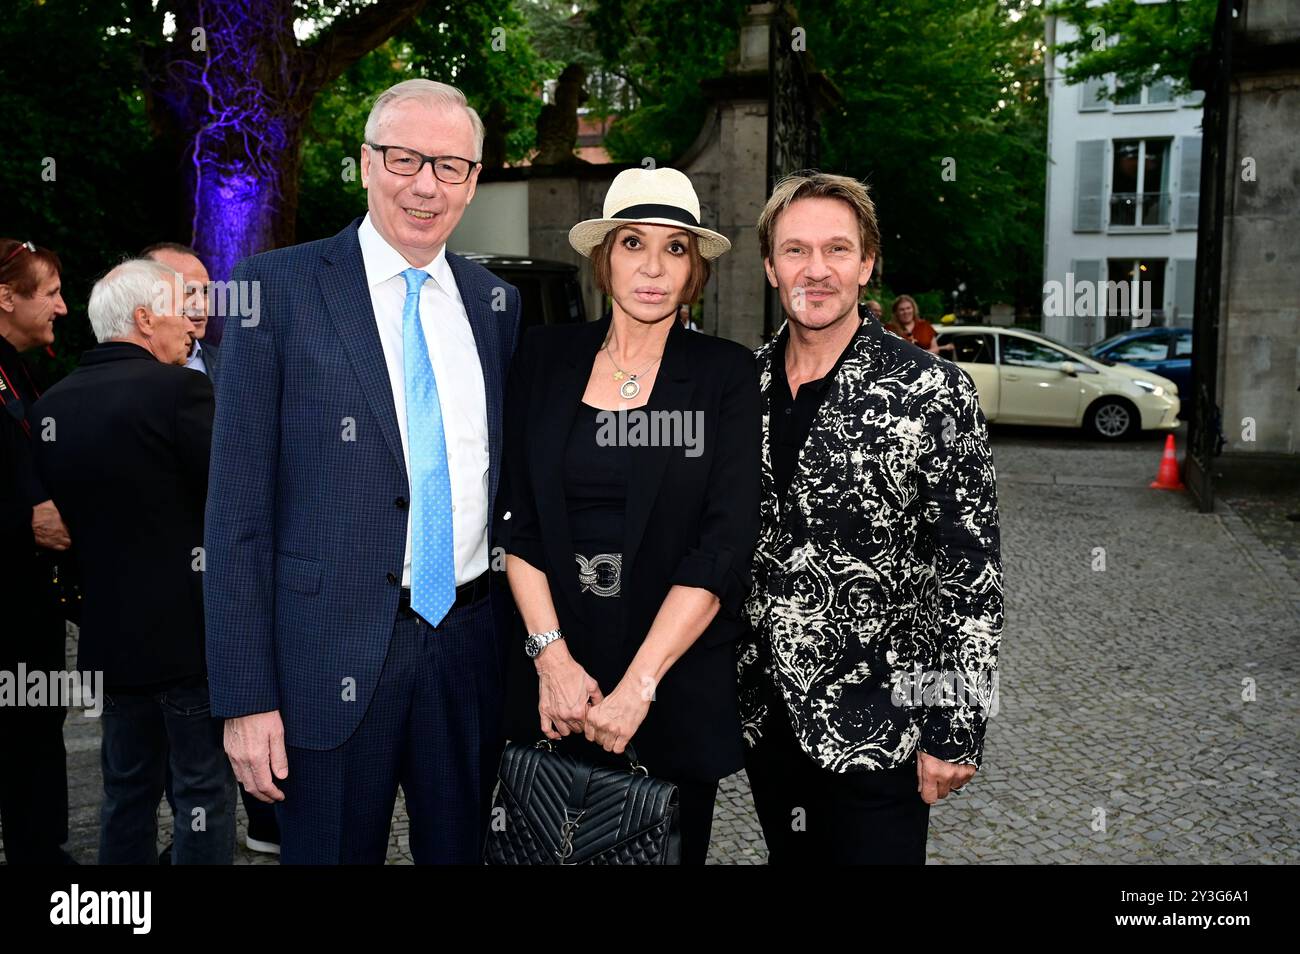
(934, 86)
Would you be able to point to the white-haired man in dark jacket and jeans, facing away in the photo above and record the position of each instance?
(123, 452)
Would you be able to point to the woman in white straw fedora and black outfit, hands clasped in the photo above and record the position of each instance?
(634, 463)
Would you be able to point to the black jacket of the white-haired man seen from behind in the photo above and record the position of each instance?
(129, 472)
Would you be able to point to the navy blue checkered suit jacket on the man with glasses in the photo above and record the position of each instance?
(306, 527)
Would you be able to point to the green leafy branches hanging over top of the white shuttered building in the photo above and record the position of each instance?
(1139, 44)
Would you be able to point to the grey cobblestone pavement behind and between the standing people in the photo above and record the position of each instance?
(1124, 734)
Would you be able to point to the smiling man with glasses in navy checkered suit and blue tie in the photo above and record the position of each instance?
(357, 452)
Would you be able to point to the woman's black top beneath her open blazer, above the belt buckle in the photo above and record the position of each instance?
(596, 485)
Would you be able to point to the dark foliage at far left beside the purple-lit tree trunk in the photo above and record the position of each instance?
(81, 110)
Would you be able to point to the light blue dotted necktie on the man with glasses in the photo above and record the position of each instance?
(434, 565)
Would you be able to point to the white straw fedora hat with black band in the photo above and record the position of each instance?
(652, 197)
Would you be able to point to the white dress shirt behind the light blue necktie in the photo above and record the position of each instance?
(461, 388)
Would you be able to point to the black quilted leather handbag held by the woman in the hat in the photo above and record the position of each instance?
(557, 809)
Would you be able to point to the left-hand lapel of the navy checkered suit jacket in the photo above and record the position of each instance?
(348, 300)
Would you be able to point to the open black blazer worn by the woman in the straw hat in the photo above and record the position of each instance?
(691, 521)
